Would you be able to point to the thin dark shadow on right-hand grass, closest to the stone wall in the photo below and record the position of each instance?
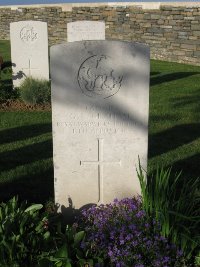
(170, 77)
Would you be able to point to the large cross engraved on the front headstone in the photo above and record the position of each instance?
(100, 162)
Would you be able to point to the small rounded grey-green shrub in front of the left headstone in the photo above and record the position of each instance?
(34, 91)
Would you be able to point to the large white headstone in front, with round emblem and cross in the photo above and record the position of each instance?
(100, 100)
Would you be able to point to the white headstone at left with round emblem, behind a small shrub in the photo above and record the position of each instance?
(29, 50)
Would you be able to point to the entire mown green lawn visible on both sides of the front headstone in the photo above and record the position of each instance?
(26, 166)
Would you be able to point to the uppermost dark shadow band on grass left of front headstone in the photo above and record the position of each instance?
(24, 132)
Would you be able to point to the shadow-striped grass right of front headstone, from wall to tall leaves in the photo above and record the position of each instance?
(174, 121)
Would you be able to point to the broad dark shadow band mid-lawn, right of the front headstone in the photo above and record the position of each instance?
(172, 138)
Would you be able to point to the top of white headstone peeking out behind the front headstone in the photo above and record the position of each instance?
(85, 30)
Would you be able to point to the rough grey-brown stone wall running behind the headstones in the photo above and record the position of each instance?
(172, 31)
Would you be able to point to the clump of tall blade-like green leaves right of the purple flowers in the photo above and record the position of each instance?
(176, 204)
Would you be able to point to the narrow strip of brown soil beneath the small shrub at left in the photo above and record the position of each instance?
(17, 105)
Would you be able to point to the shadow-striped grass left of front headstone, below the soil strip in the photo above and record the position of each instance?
(26, 166)
